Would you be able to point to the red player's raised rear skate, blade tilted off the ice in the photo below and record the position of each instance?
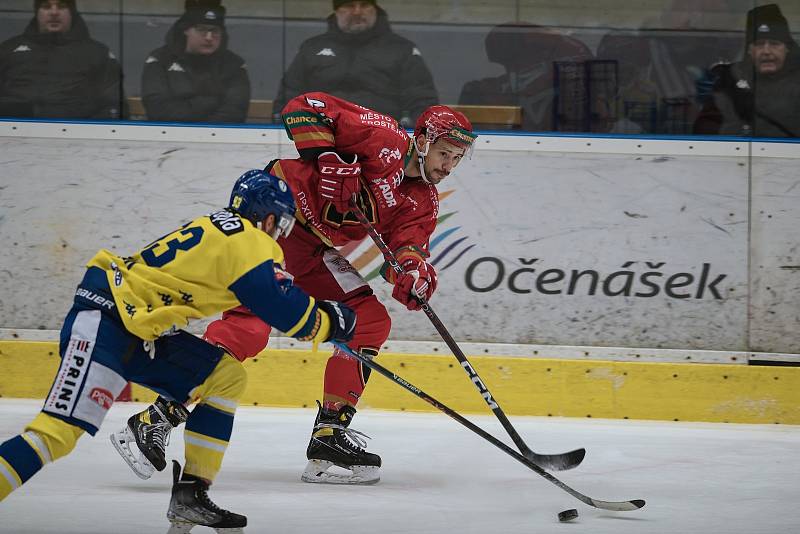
(149, 431)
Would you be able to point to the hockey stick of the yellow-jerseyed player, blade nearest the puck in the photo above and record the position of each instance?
(617, 506)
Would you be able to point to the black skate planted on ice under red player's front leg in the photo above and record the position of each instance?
(333, 443)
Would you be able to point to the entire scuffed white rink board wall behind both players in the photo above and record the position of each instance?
(562, 248)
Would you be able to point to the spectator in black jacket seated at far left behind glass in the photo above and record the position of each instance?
(56, 70)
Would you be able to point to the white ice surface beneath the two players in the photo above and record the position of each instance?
(438, 477)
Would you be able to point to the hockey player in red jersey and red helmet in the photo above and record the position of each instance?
(347, 150)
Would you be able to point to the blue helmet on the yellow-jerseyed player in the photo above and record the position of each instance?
(257, 193)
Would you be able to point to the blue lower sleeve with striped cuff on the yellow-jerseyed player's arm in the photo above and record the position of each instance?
(277, 302)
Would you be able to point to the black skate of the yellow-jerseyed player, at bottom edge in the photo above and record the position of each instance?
(190, 507)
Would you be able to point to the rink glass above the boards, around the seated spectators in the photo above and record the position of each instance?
(606, 68)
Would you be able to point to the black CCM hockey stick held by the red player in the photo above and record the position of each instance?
(556, 462)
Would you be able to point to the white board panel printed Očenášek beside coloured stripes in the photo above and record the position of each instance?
(580, 249)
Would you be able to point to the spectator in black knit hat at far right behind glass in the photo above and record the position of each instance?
(759, 95)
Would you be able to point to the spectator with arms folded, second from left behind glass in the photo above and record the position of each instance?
(194, 77)
